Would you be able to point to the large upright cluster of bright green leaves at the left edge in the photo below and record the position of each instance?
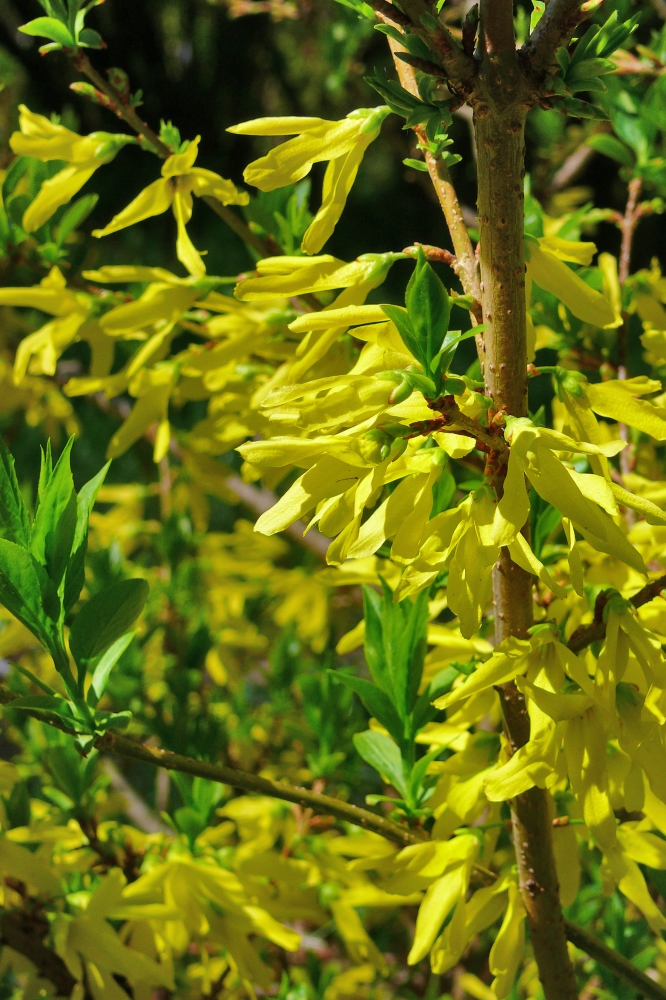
(42, 574)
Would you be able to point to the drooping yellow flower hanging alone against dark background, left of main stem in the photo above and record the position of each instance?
(342, 143)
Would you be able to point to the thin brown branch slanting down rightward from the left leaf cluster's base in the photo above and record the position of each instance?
(324, 805)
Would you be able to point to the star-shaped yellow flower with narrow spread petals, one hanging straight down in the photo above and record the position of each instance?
(180, 180)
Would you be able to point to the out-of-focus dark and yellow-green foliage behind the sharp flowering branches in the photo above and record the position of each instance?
(238, 629)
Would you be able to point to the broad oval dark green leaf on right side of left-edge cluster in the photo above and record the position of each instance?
(106, 617)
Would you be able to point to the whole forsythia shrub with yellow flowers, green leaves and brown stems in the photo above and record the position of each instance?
(501, 565)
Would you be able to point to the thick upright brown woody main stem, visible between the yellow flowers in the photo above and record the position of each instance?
(499, 120)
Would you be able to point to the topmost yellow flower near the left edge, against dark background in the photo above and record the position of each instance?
(45, 140)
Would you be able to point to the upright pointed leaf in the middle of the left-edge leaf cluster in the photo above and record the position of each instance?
(55, 521)
